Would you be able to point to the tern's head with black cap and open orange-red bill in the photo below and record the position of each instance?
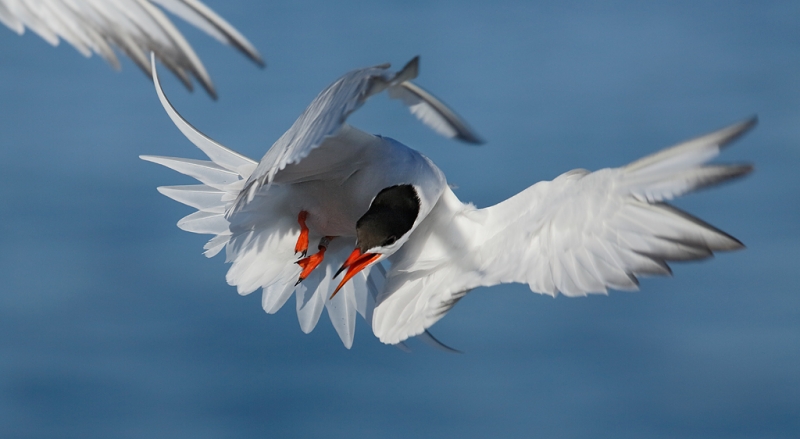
(383, 229)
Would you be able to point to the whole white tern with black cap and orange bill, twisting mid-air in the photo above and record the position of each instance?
(584, 232)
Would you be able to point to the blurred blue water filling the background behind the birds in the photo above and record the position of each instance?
(113, 325)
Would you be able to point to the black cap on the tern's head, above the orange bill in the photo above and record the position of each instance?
(390, 216)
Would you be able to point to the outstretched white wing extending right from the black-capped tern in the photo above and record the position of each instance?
(578, 234)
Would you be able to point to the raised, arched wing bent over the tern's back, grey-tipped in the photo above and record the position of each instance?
(327, 113)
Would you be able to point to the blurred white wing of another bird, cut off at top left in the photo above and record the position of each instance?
(135, 27)
